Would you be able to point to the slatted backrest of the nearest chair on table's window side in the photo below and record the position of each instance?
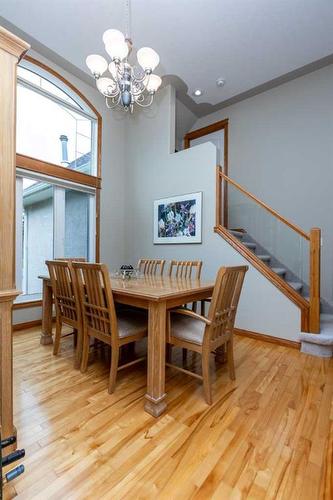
(97, 305)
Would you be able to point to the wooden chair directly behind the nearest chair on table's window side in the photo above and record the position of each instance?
(67, 304)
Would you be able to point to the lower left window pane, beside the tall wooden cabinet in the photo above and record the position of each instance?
(37, 233)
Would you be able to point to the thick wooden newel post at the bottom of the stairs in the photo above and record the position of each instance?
(315, 247)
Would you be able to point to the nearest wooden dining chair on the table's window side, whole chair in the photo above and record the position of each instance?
(100, 320)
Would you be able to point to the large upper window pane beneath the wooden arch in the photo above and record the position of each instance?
(48, 131)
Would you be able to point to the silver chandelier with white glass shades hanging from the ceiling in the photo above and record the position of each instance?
(125, 85)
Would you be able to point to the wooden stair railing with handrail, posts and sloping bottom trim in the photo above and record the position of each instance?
(310, 309)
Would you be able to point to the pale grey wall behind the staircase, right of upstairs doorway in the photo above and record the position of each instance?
(281, 149)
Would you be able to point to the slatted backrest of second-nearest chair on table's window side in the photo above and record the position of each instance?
(64, 290)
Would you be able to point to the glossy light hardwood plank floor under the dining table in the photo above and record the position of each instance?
(268, 435)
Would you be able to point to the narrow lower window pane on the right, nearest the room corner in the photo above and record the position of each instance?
(77, 224)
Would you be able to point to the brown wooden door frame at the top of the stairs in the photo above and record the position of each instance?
(209, 129)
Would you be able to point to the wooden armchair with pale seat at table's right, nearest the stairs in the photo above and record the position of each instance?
(204, 335)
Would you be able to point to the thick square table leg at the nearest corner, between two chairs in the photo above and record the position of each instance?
(155, 398)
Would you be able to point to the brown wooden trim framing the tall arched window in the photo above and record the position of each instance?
(46, 168)
